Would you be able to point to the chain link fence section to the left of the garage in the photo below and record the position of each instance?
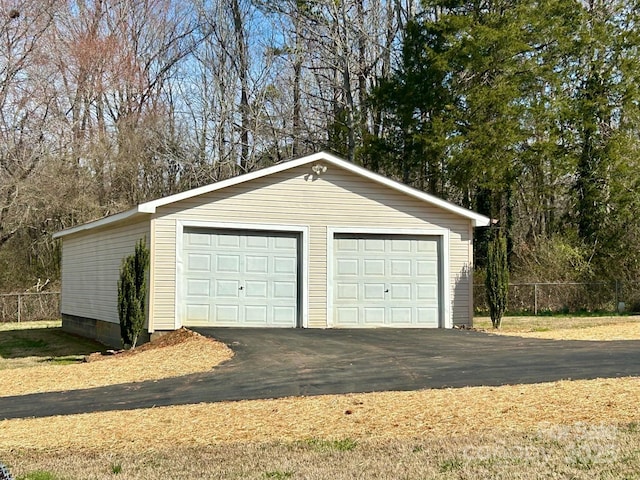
(28, 307)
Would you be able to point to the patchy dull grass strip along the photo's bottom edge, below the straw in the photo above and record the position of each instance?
(577, 452)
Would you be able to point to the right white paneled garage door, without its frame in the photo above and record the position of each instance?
(386, 281)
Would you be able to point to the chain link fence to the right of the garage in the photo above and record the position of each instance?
(547, 298)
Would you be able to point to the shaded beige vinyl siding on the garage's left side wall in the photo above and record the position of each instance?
(91, 266)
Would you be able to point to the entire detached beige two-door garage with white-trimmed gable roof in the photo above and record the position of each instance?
(316, 242)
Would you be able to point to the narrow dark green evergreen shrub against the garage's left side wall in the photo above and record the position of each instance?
(132, 294)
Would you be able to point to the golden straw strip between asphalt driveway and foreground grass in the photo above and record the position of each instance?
(388, 415)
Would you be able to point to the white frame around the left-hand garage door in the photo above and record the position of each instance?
(303, 258)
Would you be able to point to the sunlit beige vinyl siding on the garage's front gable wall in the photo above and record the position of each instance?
(338, 198)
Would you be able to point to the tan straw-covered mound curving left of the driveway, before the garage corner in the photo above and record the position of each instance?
(176, 354)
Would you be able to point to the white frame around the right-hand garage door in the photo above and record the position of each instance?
(443, 260)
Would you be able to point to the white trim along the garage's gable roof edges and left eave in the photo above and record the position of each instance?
(151, 207)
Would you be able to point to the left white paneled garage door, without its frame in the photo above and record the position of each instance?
(240, 279)
